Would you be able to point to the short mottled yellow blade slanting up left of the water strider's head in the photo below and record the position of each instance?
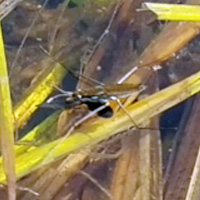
(37, 93)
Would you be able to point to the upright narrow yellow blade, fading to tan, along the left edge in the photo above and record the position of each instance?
(6, 124)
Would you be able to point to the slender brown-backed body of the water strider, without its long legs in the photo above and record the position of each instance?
(97, 95)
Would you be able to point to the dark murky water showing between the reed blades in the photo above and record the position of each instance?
(78, 32)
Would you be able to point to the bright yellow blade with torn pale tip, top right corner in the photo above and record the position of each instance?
(174, 12)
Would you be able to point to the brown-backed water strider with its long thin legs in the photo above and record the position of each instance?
(95, 96)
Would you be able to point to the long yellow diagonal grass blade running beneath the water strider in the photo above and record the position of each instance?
(102, 129)
